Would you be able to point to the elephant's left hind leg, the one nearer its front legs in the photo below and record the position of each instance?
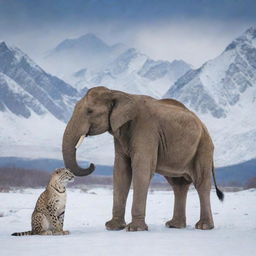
(180, 188)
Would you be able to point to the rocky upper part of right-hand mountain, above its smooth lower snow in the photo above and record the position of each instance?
(223, 81)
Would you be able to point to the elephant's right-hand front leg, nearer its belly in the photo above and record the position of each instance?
(141, 179)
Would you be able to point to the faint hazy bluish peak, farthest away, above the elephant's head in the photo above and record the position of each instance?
(88, 50)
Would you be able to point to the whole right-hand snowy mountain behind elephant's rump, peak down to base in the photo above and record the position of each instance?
(223, 93)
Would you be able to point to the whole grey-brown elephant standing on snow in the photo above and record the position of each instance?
(150, 136)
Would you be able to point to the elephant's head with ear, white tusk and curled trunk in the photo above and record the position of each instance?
(100, 110)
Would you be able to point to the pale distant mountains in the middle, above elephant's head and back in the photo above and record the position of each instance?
(91, 62)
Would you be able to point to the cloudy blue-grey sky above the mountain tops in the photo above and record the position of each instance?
(192, 30)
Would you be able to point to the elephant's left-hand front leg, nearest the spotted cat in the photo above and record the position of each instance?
(121, 184)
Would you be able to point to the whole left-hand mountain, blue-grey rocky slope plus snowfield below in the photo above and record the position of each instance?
(34, 107)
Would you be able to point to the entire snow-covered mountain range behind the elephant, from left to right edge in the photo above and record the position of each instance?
(34, 105)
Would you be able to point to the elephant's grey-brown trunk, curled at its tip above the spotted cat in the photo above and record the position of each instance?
(70, 140)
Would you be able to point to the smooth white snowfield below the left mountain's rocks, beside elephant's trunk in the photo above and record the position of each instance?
(22, 138)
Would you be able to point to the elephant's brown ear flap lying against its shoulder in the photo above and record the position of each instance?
(123, 110)
